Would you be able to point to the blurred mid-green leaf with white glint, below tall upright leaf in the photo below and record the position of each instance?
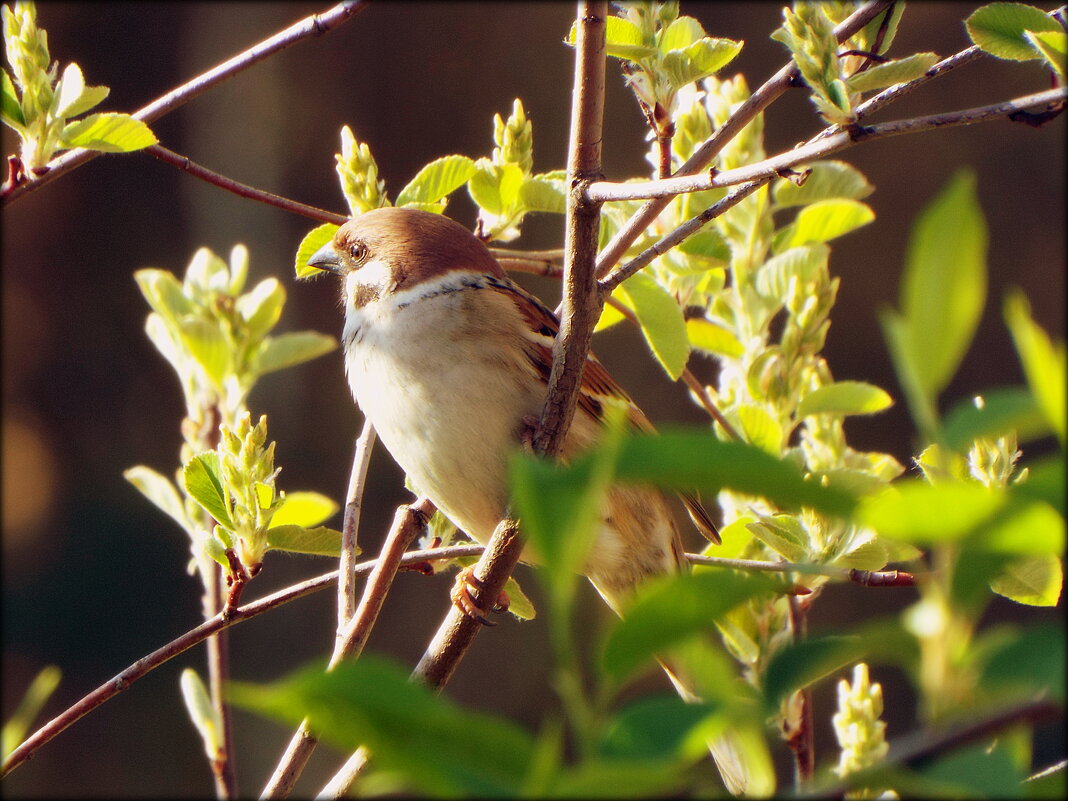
(1001, 412)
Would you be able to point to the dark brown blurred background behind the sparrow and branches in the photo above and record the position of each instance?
(95, 577)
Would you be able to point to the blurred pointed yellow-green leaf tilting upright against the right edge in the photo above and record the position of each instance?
(1045, 365)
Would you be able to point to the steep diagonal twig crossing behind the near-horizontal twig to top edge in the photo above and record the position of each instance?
(704, 155)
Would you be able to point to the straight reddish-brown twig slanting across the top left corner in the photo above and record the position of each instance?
(313, 26)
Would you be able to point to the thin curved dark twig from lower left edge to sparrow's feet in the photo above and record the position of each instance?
(198, 635)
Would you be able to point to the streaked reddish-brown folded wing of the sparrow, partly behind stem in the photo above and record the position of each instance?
(598, 386)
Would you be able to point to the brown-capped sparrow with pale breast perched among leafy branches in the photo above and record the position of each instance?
(450, 360)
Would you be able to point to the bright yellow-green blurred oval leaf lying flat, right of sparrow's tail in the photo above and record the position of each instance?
(928, 514)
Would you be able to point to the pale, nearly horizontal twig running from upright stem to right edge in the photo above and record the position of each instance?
(769, 168)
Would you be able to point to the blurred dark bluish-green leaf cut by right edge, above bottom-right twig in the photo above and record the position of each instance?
(1032, 662)
